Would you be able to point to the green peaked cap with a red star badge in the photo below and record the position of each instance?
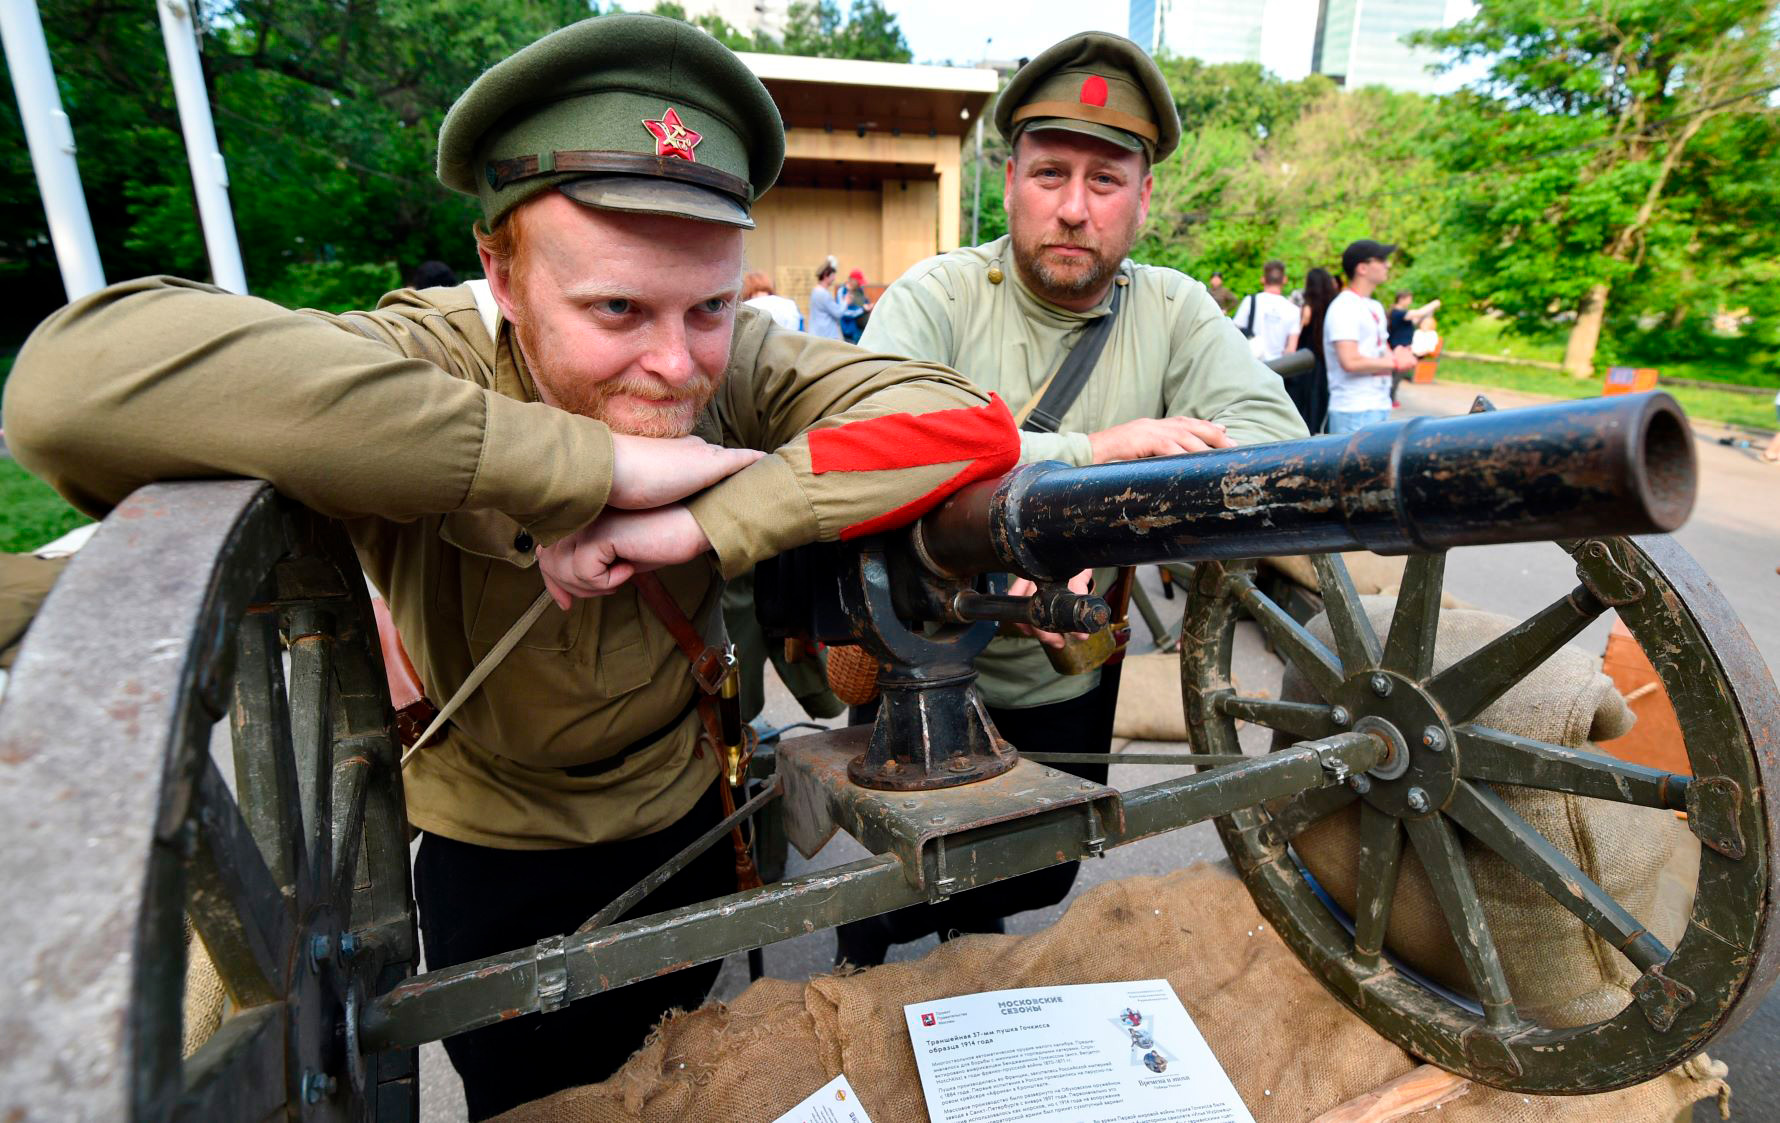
(626, 113)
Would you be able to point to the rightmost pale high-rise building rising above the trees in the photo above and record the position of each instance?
(1361, 44)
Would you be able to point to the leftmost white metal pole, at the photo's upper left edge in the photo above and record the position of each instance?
(53, 149)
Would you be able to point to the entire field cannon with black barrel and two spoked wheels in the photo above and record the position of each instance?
(216, 627)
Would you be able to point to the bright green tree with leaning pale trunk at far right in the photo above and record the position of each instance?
(1598, 109)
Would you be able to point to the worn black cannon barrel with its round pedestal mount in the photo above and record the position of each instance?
(1619, 465)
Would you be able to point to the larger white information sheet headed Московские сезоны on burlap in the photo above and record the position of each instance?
(1103, 1053)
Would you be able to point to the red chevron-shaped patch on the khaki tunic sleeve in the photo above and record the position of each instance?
(983, 435)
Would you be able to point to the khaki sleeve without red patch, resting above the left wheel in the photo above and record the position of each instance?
(168, 380)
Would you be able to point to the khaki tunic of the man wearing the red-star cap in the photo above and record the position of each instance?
(425, 433)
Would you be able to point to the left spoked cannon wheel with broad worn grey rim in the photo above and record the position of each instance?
(179, 620)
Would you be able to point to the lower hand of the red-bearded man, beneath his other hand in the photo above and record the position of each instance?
(615, 547)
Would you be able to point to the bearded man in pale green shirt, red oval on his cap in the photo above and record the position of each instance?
(1087, 120)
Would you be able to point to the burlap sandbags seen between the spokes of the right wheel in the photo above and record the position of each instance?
(1558, 971)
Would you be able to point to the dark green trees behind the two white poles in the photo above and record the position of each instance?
(327, 113)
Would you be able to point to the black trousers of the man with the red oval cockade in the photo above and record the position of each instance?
(1080, 725)
